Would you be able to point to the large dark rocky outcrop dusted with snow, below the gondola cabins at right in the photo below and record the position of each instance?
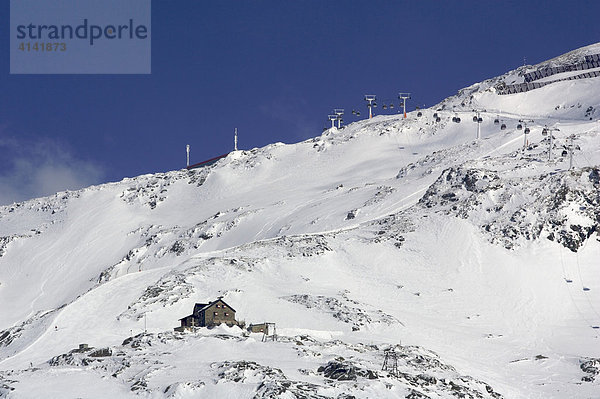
(547, 205)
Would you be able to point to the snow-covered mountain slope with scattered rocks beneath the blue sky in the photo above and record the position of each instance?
(474, 260)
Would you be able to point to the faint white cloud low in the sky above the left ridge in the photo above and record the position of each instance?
(34, 169)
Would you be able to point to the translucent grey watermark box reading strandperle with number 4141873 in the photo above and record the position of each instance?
(80, 36)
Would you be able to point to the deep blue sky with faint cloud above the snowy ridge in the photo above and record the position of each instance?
(273, 69)
